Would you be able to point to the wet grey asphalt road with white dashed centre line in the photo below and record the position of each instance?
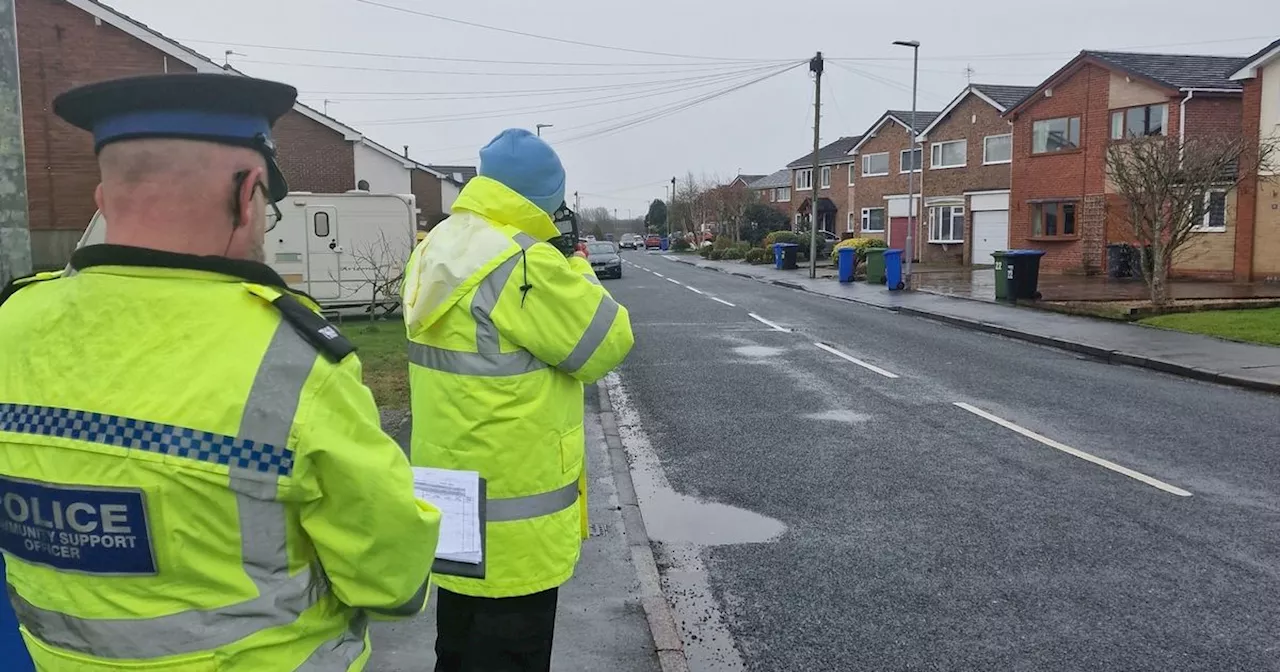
(912, 496)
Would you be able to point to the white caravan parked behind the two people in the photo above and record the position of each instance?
(345, 250)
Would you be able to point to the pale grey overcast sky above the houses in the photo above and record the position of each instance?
(446, 111)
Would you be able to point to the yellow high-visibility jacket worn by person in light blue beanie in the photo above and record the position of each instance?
(504, 333)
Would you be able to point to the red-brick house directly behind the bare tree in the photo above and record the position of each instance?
(1060, 198)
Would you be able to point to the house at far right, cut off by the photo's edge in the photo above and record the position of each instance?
(1258, 222)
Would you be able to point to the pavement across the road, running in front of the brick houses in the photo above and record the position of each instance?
(1135, 345)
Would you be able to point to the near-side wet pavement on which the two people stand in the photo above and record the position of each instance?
(604, 619)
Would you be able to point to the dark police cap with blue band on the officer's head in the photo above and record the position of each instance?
(226, 109)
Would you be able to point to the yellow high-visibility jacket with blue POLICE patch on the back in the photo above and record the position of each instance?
(193, 476)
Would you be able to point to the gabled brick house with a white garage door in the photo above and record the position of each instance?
(968, 152)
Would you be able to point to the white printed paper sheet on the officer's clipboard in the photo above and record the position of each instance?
(458, 496)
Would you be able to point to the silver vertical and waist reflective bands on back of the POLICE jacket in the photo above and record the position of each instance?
(269, 413)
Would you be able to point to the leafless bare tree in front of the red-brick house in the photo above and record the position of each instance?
(1167, 184)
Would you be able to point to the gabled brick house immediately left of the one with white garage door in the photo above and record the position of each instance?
(883, 161)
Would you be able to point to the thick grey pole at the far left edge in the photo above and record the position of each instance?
(15, 236)
